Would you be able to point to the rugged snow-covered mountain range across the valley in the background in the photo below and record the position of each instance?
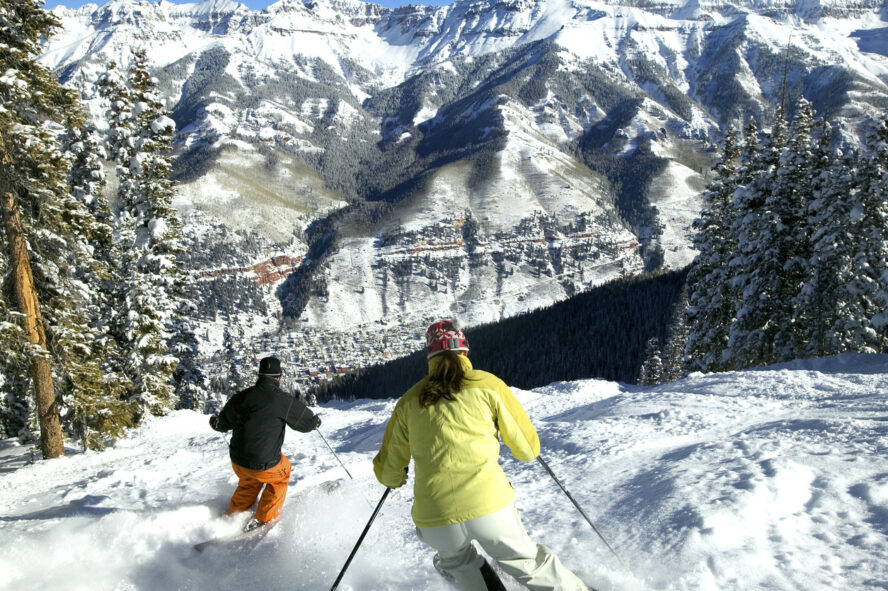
(505, 153)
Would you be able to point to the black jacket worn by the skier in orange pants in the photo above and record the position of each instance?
(258, 415)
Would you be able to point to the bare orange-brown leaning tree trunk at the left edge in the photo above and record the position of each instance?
(47, 410)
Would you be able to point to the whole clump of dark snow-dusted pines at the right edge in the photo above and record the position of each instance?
(808, 226)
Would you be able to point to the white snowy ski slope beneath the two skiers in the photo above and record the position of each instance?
(769, 479)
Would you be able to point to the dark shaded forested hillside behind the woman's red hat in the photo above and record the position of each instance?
(597, 334)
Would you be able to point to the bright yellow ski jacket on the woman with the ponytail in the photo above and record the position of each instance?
(455, 448)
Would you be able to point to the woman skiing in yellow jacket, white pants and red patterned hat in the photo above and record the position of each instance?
(449, 423)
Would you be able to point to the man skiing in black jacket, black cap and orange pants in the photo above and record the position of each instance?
(258, 416)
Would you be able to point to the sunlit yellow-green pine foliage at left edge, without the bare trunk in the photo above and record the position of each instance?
(36, 116)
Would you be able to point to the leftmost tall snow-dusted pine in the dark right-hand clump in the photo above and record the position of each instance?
(711, 300)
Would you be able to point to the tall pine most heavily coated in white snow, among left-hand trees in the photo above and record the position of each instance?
(150, 297)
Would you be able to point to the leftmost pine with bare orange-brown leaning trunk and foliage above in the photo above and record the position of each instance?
(32, 185)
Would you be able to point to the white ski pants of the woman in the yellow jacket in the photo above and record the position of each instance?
(503, 537)
